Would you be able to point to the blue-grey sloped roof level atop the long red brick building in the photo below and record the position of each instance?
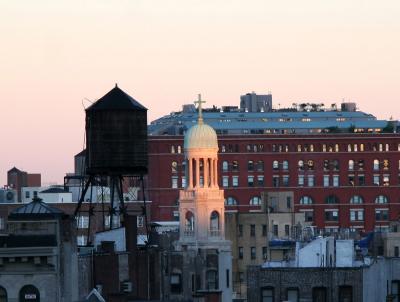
(301, 119)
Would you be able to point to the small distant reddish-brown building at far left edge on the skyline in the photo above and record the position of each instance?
(16, 179)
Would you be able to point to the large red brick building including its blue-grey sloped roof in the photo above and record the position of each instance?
(343, 169)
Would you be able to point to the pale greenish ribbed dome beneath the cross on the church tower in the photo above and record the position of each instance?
(201, 136)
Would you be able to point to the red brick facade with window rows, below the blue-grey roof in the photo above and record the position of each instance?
(340, 181)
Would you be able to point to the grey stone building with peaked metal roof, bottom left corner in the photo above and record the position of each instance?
(38, 255)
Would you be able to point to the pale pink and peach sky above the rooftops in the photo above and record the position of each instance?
(58, 56)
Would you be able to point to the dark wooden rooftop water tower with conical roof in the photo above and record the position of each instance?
(116, 145)
